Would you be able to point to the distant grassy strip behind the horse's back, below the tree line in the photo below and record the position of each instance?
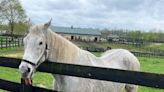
(144, 48)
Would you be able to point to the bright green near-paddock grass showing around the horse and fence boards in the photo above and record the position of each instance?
(154, 65)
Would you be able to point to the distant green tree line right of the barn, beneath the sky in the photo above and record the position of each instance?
(135, 35)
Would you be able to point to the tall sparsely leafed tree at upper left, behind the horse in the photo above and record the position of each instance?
(11, 12)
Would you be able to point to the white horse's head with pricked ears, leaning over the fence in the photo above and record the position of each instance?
(35, 49)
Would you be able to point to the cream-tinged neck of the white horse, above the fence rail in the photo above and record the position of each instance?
(61, 50)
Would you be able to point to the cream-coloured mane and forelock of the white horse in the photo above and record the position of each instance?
(60, 49)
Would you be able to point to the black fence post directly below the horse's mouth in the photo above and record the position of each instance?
(24, 87)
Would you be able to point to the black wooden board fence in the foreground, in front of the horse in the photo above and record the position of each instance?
(107, 74)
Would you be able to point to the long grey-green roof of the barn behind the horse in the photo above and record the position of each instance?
(79, 31)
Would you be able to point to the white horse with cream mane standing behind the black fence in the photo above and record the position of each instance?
(41, 43)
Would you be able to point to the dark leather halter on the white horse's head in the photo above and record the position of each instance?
(33, 64)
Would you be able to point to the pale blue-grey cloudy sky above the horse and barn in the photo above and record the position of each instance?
(112, 14)
